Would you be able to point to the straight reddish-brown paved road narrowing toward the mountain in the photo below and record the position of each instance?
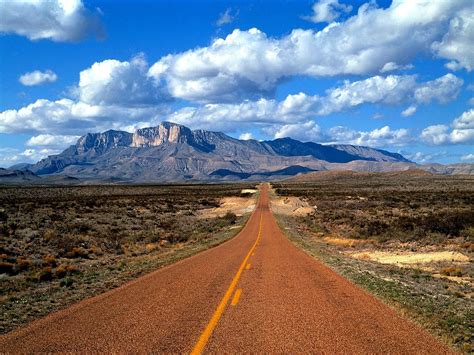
(255, 293)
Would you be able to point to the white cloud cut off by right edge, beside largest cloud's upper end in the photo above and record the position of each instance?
(458, 43)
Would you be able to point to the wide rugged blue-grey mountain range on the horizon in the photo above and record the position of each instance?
(171, 152)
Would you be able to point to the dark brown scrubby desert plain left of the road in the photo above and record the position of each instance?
(61, 244)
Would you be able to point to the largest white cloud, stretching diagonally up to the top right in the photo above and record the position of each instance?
(249, 64)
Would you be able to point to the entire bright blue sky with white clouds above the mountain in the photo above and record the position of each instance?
(392, 75)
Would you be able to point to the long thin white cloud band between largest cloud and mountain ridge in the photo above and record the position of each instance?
(300, 107)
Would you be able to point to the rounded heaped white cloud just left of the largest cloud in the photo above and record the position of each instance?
(112, 82)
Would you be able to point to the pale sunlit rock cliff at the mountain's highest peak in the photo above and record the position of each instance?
(165, 132)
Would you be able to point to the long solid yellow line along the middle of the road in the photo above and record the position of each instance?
(206, 334)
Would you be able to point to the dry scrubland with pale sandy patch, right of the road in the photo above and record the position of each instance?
(402, 217)
